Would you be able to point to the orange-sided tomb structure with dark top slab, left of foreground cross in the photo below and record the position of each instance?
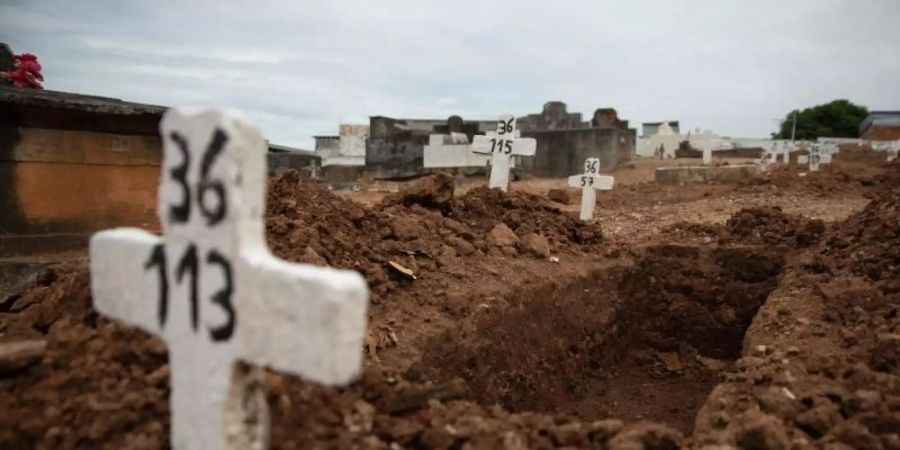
(72, 164)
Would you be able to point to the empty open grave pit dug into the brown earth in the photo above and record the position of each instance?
(646, 342)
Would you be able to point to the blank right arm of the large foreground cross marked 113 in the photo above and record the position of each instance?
(306, 320)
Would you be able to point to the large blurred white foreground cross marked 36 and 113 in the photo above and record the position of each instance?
(210, 288)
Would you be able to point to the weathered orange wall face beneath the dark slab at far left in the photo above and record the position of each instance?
(58, 186)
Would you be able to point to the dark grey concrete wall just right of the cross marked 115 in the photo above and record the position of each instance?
(561, 153)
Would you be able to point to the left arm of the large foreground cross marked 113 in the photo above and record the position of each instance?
(126, 264)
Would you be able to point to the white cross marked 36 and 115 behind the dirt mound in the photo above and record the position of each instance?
(502, 147)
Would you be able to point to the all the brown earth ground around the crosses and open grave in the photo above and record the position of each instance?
(747, 326)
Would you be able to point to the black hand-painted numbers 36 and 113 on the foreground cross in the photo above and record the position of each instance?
(206, 191)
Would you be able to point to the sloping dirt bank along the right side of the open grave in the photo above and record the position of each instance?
(820, 367)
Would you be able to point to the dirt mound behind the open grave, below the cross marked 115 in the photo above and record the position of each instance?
(423, 228)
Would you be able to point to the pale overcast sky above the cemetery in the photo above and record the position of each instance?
(299, 68)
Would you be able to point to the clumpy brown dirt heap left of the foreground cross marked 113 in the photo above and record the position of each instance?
(98, 384)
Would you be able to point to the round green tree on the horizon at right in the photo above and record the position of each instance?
(838, 118)
